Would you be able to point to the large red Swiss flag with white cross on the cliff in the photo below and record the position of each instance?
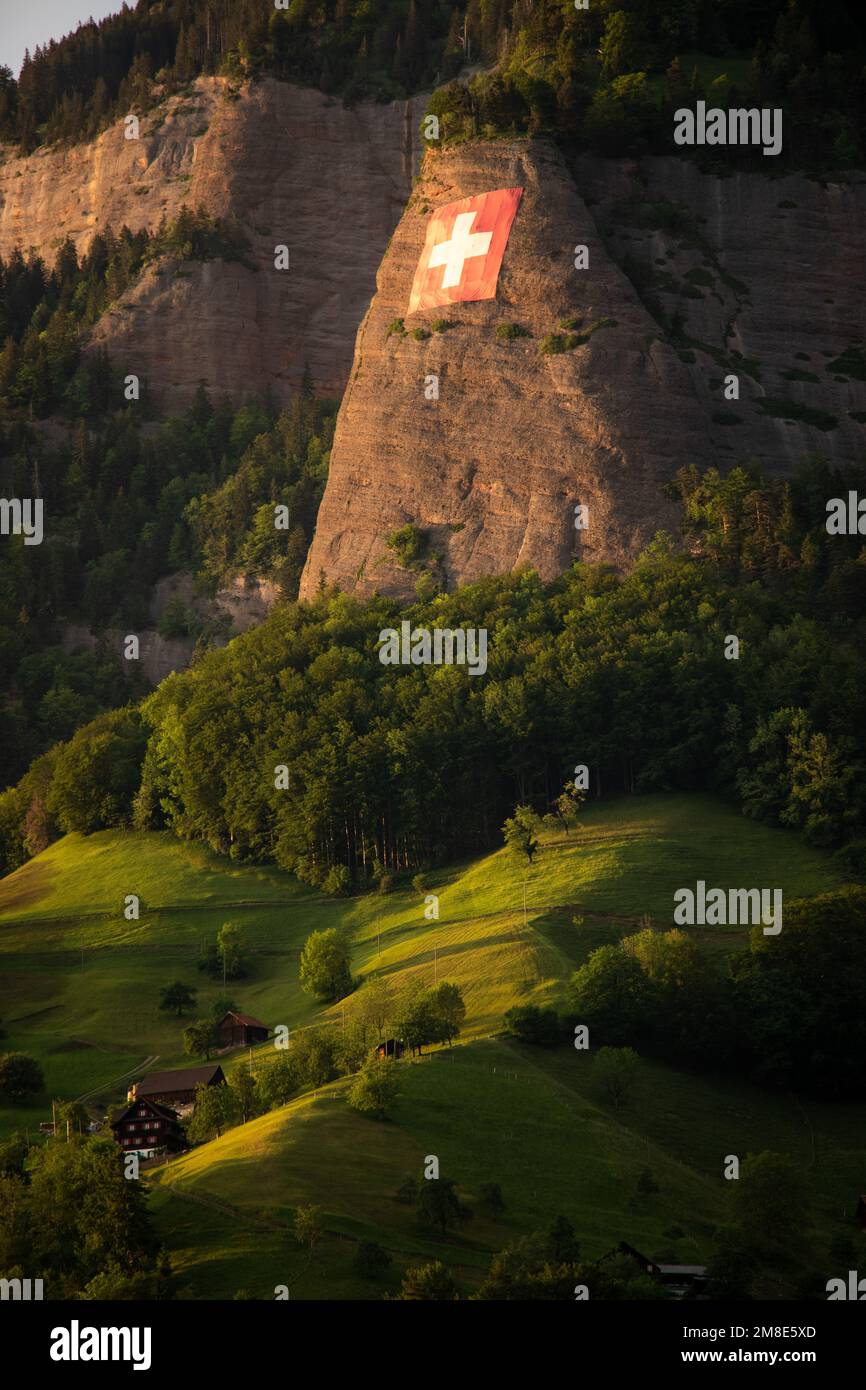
(464, 250)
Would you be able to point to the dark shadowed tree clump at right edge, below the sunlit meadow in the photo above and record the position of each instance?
(787, 1011)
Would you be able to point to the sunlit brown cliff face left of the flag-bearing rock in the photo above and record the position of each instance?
(295, 167)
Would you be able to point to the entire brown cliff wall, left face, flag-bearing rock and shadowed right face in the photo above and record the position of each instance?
(693, 277)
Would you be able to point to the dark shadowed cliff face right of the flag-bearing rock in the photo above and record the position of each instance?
(779, 276)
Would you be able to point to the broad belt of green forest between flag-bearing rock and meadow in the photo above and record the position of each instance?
(415, 765)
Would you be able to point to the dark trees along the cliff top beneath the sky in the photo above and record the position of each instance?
(610, 76)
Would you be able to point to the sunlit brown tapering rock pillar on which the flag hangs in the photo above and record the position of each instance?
(496, 468)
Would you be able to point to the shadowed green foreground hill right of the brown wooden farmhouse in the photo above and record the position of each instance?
(491, 1111)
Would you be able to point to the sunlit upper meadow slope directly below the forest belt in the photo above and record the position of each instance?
(81, 985)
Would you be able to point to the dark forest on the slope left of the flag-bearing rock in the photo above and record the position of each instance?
(130, 504)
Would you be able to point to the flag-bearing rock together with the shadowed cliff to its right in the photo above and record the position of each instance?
(698, 280)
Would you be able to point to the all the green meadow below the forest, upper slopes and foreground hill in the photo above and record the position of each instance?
(80, 990)
